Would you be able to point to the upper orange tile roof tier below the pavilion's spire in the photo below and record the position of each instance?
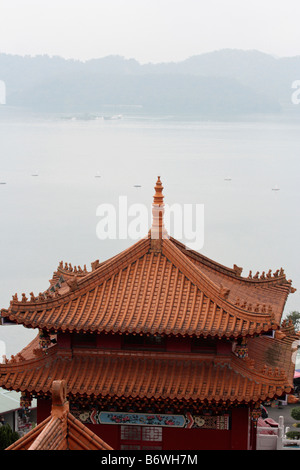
(166, 292)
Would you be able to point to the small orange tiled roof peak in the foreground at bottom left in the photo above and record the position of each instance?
(61, 430)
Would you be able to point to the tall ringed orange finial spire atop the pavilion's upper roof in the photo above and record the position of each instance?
(158, 230)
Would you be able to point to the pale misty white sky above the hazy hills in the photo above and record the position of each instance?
(148, 30)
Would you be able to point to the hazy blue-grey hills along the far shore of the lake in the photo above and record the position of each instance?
(226, 82)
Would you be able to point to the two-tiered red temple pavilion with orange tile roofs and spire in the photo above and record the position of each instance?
(159, 347)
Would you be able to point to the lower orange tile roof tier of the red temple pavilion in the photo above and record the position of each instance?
(147, 374)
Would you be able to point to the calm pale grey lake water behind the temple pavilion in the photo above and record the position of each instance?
(232, 168)
